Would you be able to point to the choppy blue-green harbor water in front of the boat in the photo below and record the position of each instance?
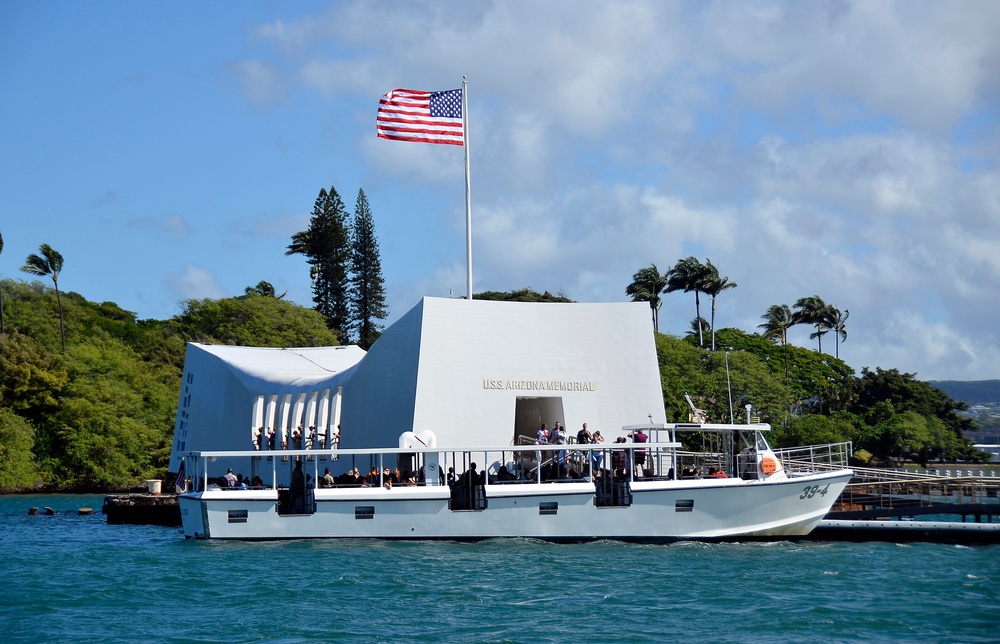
(71, 578)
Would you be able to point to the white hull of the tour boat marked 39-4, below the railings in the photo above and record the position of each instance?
(688, 509)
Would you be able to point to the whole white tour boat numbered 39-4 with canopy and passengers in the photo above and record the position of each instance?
(695, 481)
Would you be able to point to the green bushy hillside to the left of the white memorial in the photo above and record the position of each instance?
(100, 416)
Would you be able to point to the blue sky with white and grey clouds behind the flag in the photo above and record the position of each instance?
(849, 150)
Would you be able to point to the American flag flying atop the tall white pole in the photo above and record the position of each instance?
(425, 117)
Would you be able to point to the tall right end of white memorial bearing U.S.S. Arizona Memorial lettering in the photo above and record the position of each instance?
(459, 368)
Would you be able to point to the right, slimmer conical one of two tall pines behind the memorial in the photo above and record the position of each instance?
(367, 291)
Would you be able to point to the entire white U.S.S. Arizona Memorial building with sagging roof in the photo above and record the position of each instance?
(475, 373)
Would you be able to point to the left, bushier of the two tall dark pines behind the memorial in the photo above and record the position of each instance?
(327, 247)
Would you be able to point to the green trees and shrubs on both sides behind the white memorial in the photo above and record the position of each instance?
(100, 415)
